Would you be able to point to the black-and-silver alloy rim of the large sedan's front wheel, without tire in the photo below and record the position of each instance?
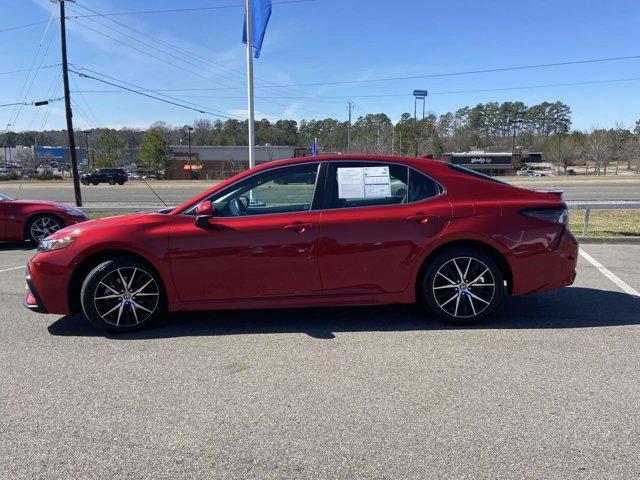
(126, 297)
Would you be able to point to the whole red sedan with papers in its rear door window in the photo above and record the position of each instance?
(368, 230)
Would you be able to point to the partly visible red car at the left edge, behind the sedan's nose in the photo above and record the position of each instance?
(34, 219)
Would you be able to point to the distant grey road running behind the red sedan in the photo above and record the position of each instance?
(174, 192)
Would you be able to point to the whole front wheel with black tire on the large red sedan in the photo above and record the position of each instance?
(124, 313)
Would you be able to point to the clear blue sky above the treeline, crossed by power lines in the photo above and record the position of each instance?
(327, 41)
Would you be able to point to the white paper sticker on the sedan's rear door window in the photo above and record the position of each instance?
(364, 182)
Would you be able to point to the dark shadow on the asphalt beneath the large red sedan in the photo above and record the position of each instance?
(566, 308)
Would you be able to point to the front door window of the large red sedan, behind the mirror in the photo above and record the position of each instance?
(282, 190)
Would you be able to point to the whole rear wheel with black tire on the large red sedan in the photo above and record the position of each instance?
(462, 301)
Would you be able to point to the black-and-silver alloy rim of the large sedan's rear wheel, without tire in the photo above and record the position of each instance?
(463, 287)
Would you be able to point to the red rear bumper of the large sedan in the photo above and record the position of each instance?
(547, 270)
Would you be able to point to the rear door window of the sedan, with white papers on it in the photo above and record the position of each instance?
(363, 184)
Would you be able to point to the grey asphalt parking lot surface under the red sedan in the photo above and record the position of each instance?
(547, 389)
